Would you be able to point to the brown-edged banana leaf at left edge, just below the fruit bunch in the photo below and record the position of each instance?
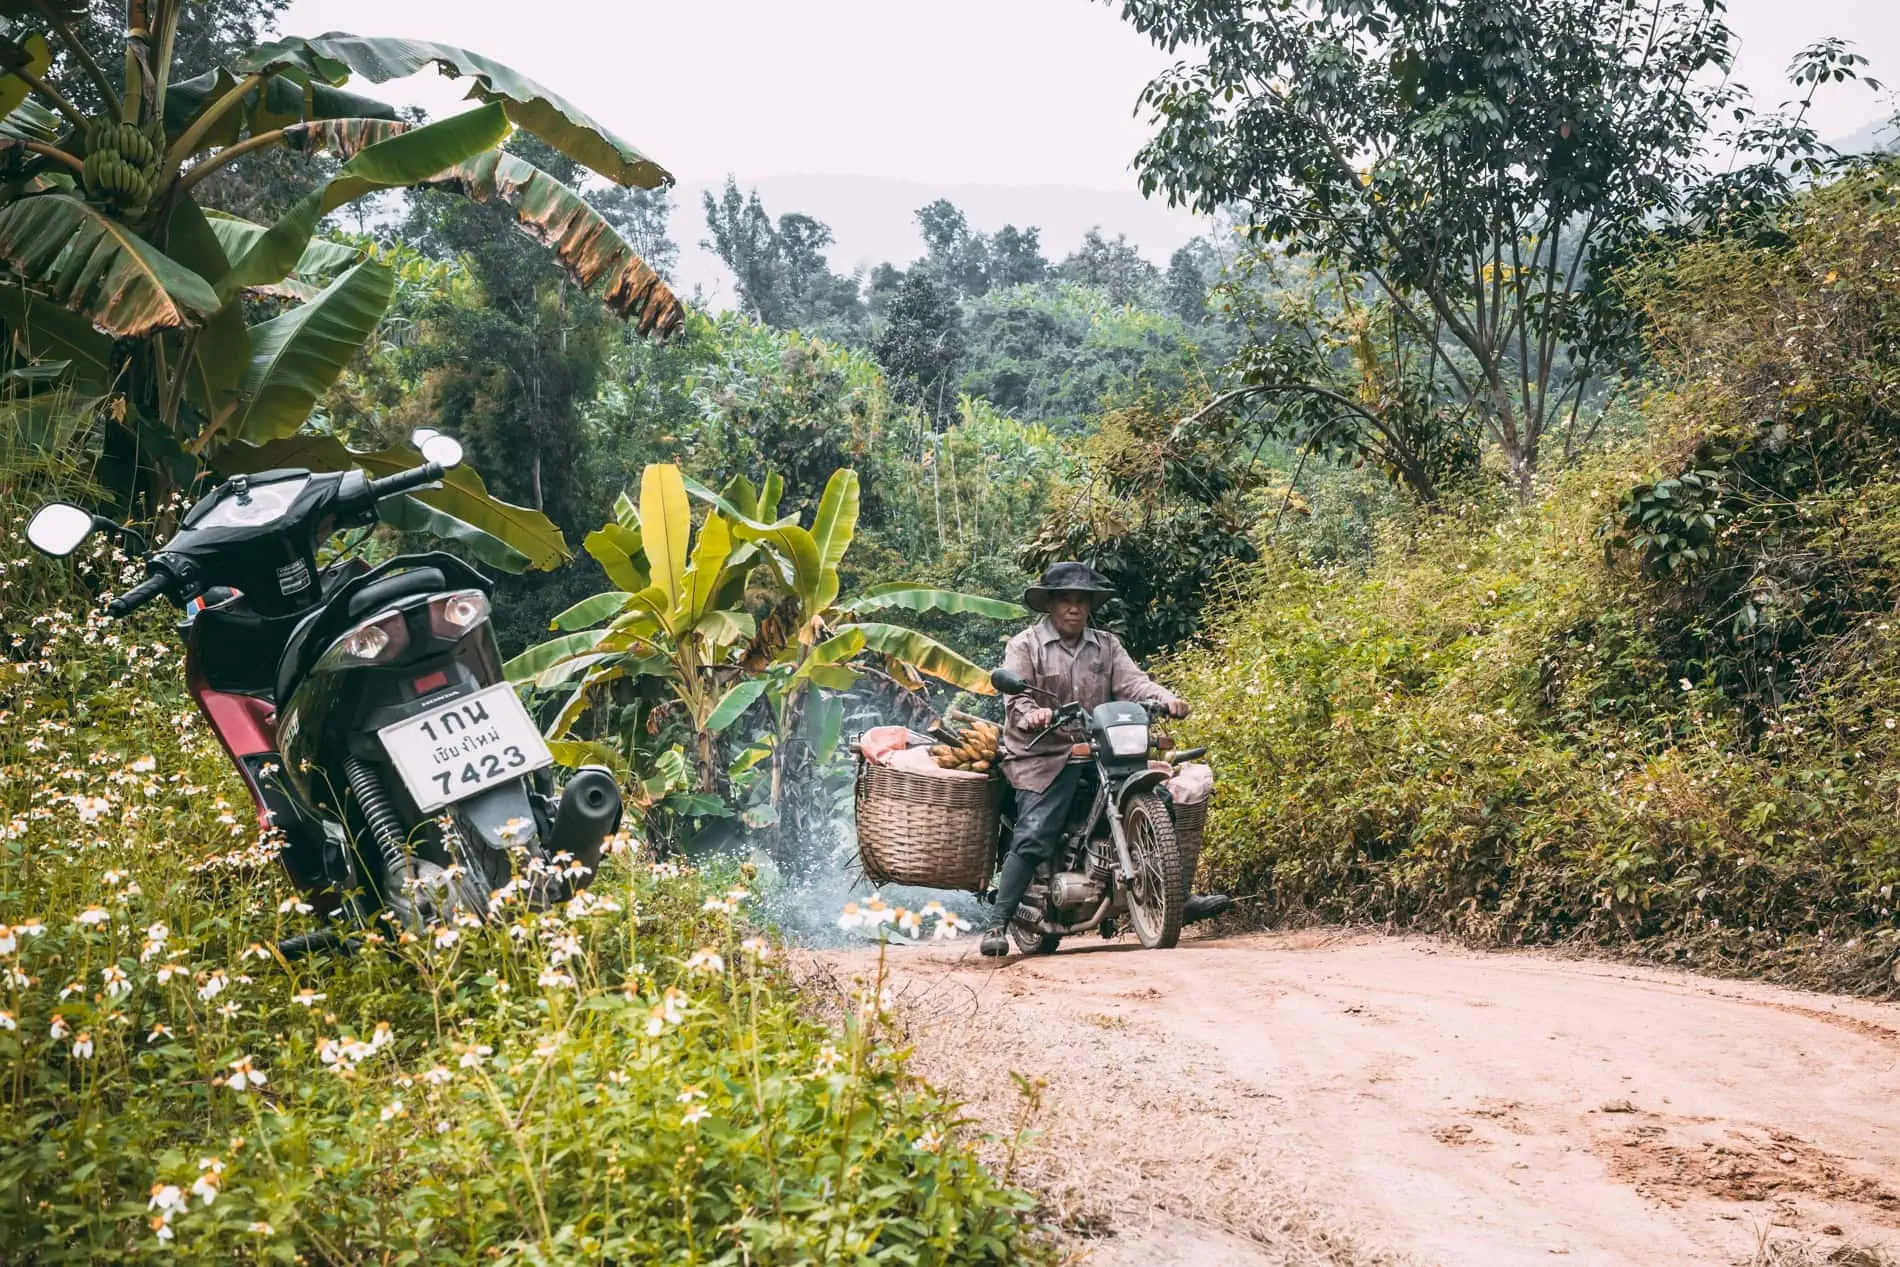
(85, 259)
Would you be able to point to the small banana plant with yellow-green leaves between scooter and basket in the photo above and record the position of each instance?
(689, 611)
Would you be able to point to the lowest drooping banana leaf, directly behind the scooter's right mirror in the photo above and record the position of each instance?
(463, 495)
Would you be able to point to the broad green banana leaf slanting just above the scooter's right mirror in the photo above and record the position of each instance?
(297, 356)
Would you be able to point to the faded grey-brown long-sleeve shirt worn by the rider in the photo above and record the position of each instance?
(1092, 671)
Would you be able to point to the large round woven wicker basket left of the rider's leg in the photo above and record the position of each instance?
(921, 831)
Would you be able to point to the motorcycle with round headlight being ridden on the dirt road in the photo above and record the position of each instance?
(1118, 854)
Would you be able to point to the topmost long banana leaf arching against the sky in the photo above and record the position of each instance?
(333, 56)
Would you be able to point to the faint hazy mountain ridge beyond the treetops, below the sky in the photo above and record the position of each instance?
(875, 219)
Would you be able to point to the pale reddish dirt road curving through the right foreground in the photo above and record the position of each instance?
(1346, 1099)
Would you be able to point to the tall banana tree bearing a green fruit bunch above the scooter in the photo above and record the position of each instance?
(115, 273)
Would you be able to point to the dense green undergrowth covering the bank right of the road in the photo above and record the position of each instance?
(1660, 708)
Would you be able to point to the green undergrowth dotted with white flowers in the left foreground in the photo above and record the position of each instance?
(626, 1080)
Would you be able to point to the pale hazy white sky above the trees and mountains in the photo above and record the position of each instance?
(978, 92)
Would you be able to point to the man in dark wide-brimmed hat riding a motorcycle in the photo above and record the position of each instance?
(1067, 660)
